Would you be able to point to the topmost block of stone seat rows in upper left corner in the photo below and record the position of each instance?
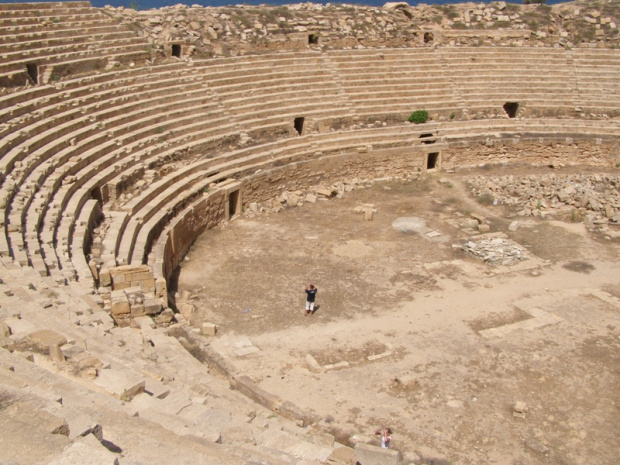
(40, 60)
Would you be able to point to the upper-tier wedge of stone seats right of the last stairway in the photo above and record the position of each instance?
(598, 80)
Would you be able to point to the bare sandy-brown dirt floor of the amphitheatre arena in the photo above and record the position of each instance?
(413, 334)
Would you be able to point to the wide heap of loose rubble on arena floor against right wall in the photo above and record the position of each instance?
(595, 197)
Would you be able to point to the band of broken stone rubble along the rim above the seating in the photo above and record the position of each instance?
(244, 29)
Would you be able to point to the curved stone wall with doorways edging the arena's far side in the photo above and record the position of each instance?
(366, 163)
